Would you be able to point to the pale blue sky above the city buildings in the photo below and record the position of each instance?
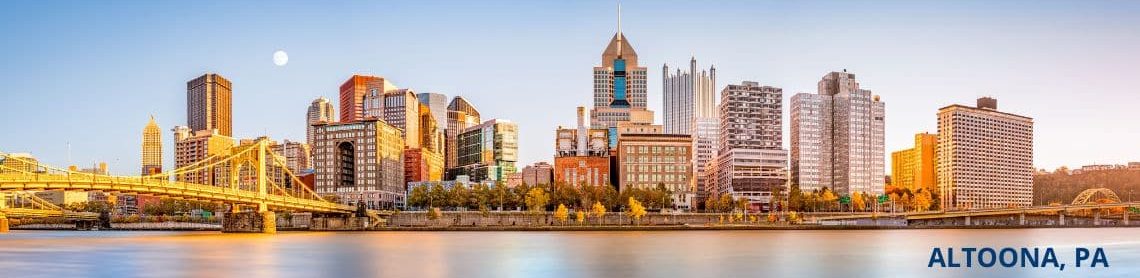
(87, 75)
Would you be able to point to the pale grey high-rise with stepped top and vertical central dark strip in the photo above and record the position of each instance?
(837, 138)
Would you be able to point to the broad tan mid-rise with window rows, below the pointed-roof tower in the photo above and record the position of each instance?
(648, 160)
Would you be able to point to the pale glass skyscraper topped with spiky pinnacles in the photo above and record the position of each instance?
(690, 109)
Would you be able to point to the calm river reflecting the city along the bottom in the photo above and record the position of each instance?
(768, 254)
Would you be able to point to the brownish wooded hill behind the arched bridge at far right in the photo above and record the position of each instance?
(1063, 187)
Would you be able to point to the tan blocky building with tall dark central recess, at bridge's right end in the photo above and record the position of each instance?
(361, 162)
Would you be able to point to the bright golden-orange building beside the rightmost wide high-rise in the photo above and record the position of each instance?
(915, 168)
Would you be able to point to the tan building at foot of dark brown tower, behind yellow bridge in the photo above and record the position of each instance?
(191, 148)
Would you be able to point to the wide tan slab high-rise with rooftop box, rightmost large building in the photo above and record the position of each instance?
(986, 158)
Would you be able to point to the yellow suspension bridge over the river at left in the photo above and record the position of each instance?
(249, 175)
